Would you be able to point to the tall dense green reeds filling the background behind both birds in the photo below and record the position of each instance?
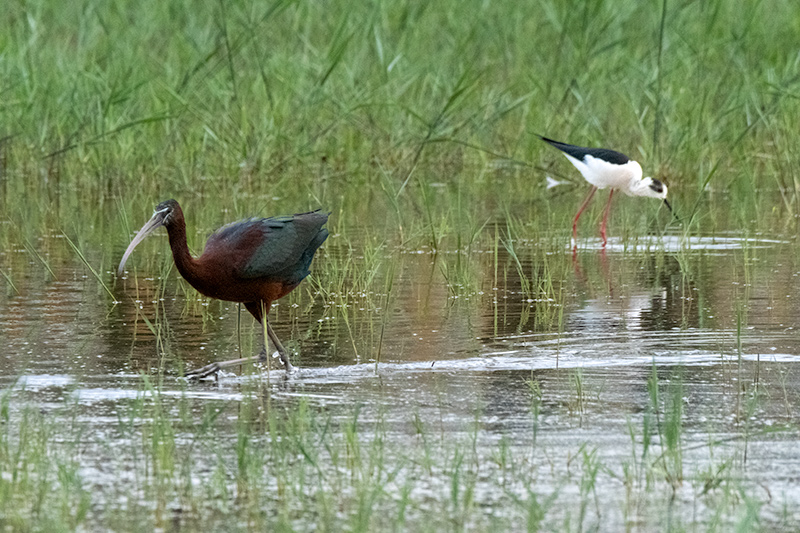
(290, 100)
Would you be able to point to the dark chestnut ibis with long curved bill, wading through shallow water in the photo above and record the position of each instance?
(253, 261)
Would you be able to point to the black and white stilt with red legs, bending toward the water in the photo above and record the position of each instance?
(604, 168)
